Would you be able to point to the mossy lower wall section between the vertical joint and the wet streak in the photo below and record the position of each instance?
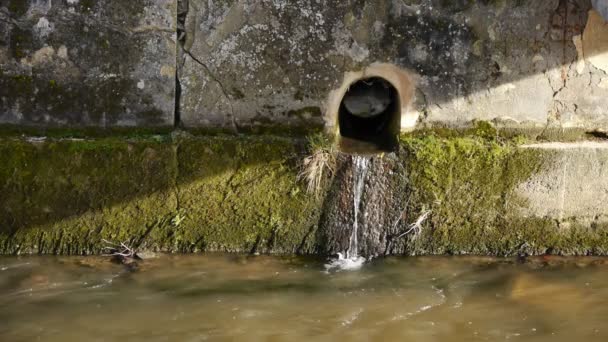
(252, 200)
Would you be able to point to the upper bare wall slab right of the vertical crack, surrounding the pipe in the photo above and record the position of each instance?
(250, 63)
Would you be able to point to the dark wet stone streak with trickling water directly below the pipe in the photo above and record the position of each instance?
(359, 212)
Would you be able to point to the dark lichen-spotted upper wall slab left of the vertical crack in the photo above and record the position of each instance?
(87, 63)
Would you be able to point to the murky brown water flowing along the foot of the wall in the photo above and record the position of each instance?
(239, 298)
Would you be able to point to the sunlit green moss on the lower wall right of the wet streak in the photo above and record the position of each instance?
(468, 183)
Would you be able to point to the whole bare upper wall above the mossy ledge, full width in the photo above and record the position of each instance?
(259, 63)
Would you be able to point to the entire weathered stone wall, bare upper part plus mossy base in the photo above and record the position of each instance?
(262, 65)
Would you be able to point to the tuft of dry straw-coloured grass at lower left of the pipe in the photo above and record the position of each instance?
(320, 165)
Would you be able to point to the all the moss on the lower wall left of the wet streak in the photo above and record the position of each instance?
(187, 194)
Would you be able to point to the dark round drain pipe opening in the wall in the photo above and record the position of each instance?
(369, 116)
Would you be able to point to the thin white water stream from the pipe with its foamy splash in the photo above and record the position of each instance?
(353, 261)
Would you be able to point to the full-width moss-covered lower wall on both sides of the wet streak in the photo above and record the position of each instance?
(183, 193)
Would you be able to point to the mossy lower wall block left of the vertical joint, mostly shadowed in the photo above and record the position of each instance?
(64, 196)
